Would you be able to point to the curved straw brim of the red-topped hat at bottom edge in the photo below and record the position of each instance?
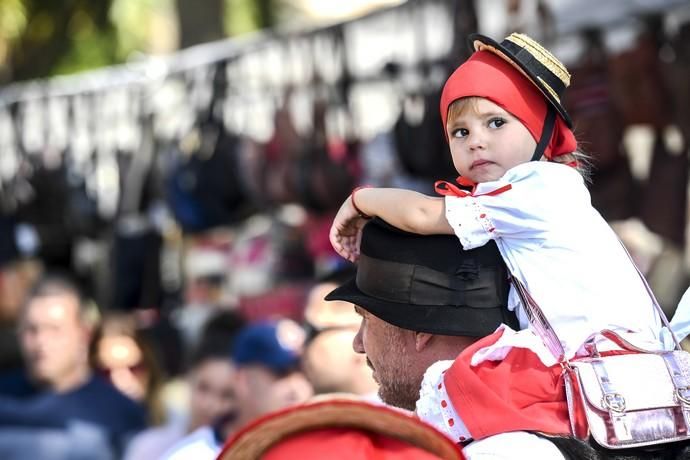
(258, 437)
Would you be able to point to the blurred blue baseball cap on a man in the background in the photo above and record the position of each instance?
(276, 345)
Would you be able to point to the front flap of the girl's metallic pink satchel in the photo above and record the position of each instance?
(642, 380)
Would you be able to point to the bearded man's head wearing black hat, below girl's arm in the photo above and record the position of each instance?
(422, 299)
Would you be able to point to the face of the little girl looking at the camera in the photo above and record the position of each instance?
(486, 141)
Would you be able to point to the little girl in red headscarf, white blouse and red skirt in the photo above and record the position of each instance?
(511, 142)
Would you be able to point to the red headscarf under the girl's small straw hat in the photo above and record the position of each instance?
(487, 75)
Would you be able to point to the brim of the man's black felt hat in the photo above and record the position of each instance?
(432, 319)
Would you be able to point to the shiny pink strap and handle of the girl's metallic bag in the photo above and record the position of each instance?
(548, 335)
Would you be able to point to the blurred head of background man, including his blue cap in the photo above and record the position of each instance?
(268, 357)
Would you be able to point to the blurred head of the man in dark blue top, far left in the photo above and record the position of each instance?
(55, 335)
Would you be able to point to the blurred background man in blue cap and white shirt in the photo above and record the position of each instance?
(268, 377)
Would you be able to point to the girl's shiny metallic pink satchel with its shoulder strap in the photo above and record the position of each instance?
(630, 397)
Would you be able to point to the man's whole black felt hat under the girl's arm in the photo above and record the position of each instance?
(429, 283)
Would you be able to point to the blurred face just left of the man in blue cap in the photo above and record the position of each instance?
(212, 391)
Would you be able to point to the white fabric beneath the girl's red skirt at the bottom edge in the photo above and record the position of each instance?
(516, 444)
